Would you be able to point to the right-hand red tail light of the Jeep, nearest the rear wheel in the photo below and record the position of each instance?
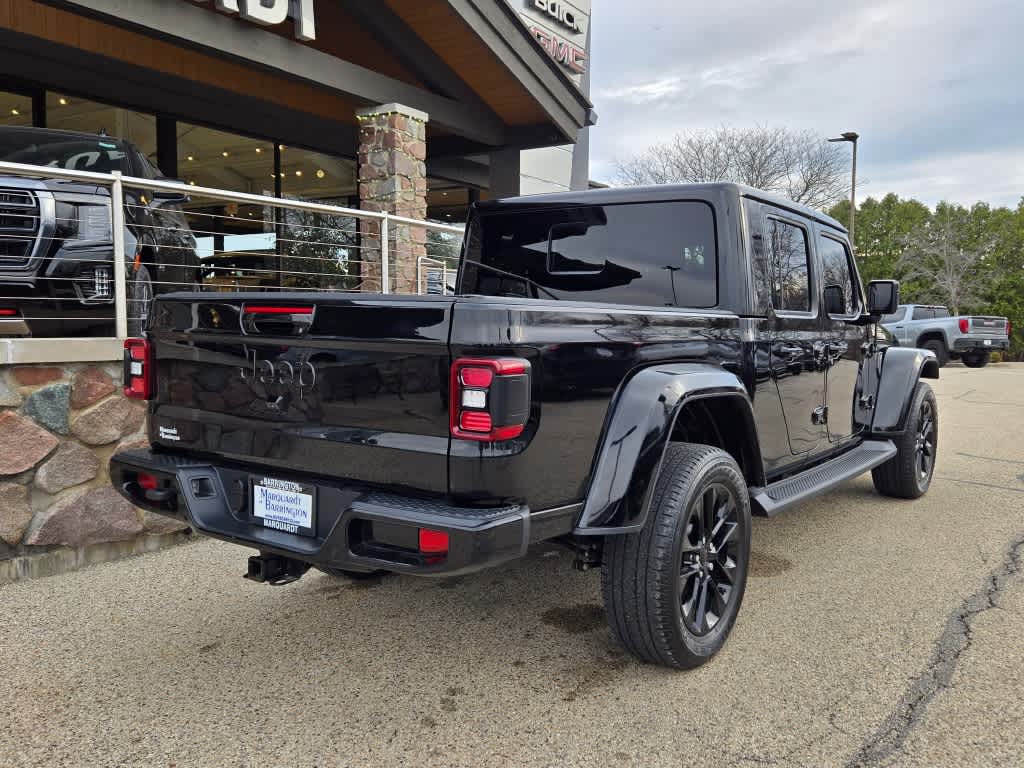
(490, 399)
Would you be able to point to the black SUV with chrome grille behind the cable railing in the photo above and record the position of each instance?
(56, 237)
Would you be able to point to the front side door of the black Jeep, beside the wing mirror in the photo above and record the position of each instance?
(844, 353)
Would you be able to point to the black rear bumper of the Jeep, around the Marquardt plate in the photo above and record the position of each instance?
(357, 529)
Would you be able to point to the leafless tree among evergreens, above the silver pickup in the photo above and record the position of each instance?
(947, 260)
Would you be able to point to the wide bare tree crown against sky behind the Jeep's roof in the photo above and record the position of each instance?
(799, 164)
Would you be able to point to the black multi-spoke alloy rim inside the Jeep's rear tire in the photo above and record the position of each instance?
(710, 556)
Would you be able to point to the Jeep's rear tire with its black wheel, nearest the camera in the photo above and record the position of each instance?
(673, 590)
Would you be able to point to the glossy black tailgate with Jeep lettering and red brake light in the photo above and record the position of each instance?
(352, 387)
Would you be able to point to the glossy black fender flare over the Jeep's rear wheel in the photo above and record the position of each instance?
(636, 436)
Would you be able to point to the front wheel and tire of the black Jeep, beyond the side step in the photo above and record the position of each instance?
(909, 475)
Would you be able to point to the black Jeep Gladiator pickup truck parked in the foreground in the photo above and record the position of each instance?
(632, 373)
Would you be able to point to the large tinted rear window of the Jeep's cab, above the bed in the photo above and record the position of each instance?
(648, 254)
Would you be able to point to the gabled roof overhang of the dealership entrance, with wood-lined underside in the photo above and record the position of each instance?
(464, 115)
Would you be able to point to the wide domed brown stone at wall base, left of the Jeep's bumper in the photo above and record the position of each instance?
(87, 518)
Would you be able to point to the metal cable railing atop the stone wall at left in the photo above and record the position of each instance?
(58, 270)
